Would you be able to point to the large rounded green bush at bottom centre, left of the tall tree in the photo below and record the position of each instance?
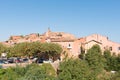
(73, 70)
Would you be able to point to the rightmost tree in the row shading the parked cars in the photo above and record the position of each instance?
(50, 50)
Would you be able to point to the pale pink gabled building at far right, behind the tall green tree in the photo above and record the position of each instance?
(103, 42)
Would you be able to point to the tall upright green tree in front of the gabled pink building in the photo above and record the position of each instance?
(95, 60)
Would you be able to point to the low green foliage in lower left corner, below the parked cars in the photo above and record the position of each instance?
(30, 72)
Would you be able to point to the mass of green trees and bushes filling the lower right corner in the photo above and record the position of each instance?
(94, 65)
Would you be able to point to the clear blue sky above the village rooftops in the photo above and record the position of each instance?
(79, 17)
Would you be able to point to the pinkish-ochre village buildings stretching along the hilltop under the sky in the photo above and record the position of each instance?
(68, 41)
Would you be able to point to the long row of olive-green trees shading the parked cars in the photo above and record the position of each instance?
(32, 49)
